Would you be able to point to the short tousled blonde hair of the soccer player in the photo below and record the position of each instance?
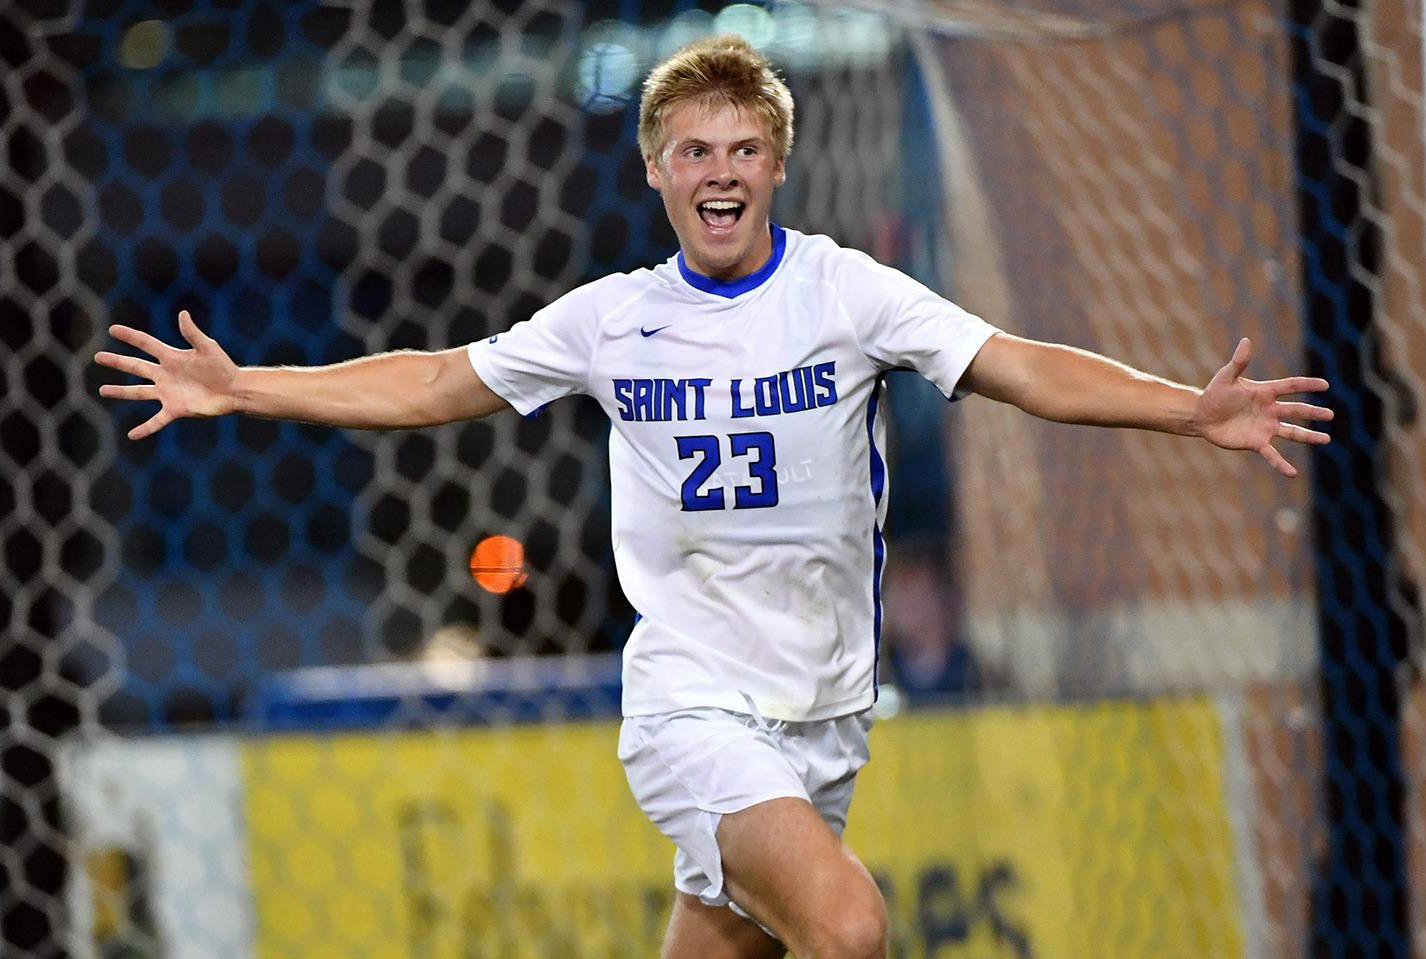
(724, 71)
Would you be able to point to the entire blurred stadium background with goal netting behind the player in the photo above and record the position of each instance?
(255, 703)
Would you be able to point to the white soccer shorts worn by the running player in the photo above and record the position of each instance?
(691, 769)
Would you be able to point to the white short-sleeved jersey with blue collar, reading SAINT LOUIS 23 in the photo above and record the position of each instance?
(749, 488)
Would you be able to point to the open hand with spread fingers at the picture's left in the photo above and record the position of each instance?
(186, 383)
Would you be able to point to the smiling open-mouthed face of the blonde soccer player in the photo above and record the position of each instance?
(717, 176)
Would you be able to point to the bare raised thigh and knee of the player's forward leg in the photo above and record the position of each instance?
(786, 867)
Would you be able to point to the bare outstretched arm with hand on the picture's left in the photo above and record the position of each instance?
(390, 391)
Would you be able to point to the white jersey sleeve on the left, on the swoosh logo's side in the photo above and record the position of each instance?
(543, 358)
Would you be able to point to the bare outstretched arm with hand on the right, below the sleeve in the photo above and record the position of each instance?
(1077, 387)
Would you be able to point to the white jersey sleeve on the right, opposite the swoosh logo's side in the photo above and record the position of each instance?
(905, 326)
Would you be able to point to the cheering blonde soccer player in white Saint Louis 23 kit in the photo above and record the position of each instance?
(742, 378)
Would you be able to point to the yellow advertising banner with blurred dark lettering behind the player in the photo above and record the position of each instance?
(1077, 833)
